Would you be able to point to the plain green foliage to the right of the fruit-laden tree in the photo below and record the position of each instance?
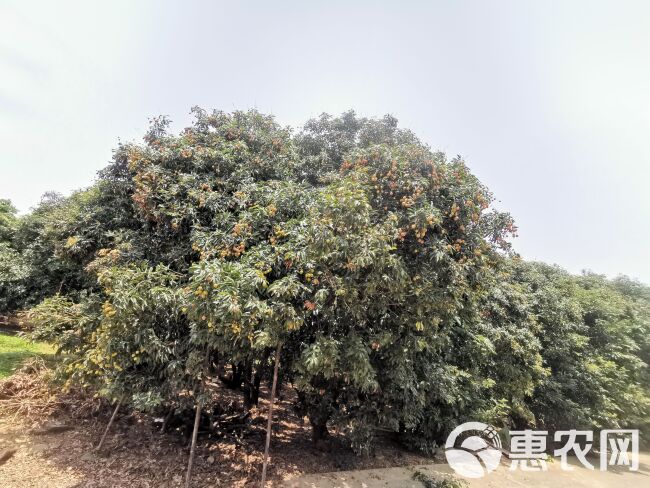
(595, 341)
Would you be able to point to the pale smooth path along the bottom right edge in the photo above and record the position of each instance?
(580, 477)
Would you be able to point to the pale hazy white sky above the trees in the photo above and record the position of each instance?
(548, 101)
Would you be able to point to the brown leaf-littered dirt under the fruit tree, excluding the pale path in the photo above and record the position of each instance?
(136, 454)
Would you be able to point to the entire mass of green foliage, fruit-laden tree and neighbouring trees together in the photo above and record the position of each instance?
(377, 264)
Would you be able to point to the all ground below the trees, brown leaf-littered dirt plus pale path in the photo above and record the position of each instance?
(53, 437)
